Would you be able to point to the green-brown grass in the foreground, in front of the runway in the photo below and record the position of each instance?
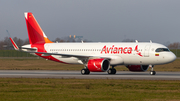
(21, 89)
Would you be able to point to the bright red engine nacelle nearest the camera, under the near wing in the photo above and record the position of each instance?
(98, 65)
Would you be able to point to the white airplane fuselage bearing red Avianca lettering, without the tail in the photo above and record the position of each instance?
(118, 53)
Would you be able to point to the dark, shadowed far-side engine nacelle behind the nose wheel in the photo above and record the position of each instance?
(138, 68)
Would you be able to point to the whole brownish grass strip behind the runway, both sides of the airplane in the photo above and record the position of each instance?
(42, 64)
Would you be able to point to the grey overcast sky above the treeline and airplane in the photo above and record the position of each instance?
(95, 20)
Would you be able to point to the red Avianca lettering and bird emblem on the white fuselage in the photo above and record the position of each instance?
(119, 50)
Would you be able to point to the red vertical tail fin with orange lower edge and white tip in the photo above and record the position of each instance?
(35, 33)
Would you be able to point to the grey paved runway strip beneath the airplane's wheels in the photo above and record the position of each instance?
(92, 75)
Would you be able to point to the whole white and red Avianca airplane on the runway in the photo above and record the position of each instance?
(95, 56)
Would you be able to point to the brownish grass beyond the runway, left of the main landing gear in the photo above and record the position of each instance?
(35, 64)
